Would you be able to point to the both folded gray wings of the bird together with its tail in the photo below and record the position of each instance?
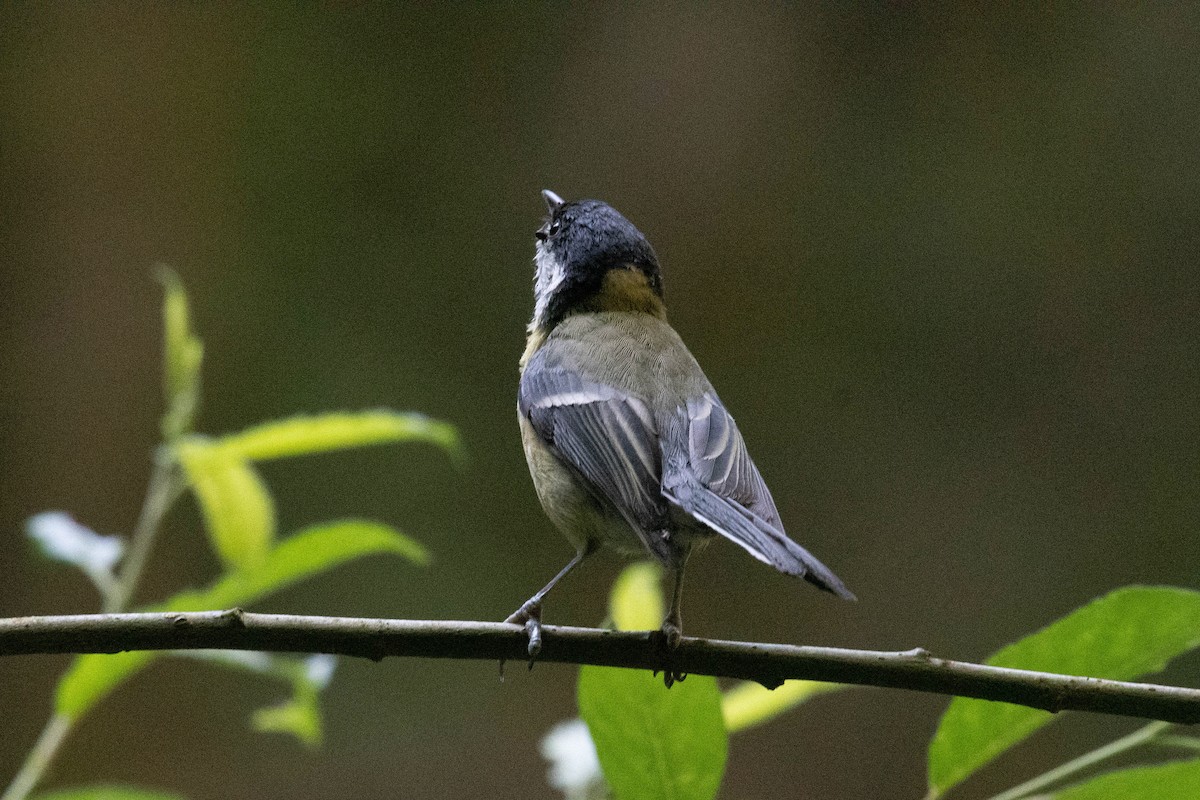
(641, 464)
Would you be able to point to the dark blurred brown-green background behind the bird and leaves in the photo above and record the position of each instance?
(940, 262)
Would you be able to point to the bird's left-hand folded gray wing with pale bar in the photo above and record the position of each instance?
(609, 438)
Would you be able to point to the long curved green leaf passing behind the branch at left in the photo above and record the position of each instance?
(308, 554)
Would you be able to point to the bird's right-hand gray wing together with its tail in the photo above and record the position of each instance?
(710, 476)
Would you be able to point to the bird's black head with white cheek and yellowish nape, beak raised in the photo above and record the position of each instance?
(590, 258)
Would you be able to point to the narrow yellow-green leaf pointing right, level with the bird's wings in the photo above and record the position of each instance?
(313, 435)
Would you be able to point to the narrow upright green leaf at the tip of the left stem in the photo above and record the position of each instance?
(183, 356)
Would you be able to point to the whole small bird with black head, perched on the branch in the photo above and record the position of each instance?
(628, 444)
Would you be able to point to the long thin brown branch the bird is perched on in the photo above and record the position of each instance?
(770, 665)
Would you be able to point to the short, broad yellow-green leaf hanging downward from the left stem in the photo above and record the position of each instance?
(239, 514)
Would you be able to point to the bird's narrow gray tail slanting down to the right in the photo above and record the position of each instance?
(758, 538)
